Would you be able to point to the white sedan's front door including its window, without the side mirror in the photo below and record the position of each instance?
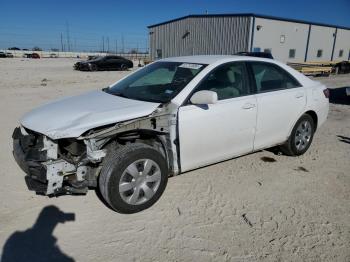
(215, 132)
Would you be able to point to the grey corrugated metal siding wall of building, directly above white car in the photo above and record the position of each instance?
(208, 35)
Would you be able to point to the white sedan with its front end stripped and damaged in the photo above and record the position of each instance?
(172, 116)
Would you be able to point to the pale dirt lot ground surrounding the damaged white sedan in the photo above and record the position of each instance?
(260, 207)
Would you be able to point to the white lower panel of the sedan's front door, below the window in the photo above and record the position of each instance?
(216, 132)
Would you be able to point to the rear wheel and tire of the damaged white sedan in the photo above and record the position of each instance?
(301, 137)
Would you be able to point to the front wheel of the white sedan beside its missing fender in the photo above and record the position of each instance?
(133, 177)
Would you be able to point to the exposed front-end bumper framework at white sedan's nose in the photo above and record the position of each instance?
(35, 154)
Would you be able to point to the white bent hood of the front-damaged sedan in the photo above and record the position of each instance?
(71, 117)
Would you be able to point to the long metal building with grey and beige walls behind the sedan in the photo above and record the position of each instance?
(288, 40)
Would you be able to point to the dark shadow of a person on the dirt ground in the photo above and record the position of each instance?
(38, 243)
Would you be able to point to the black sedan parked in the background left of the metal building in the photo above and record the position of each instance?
(109, 62)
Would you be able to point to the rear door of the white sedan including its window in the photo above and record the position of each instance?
(280, 101)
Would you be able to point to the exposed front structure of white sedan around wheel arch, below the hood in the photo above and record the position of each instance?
(72, 165)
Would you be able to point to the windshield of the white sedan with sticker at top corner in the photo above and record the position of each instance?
(159, 82)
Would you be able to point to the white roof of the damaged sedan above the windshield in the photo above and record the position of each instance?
(211, 59)
